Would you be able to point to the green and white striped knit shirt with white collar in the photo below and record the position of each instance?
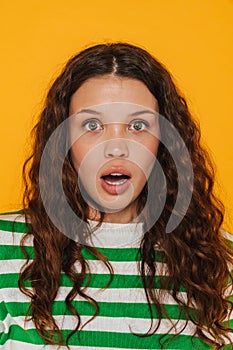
(123, 306)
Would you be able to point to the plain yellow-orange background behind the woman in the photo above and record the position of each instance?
(192, 38)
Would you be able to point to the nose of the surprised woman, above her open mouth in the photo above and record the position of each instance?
(116, 148)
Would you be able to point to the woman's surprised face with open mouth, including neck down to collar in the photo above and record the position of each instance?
(114, 140)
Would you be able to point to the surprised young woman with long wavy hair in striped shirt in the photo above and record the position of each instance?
(120, 242)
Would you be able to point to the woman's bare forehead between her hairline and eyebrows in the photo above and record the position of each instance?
(107, 89)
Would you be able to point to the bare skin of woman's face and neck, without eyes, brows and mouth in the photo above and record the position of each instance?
(113, 144)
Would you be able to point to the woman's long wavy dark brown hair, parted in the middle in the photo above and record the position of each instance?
(195, 252)
